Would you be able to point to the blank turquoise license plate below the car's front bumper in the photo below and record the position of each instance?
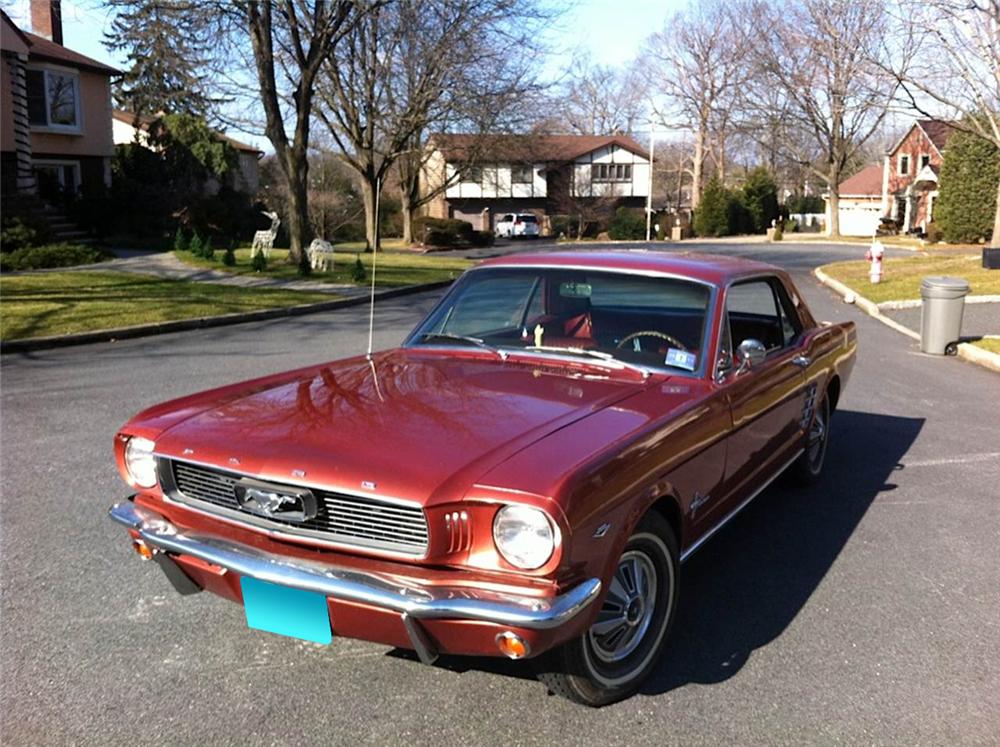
(292, 612)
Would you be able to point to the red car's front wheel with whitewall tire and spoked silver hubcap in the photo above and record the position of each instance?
(610, 660)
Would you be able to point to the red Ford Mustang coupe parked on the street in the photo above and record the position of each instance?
(522, 477)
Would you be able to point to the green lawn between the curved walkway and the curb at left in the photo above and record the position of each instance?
(58, 303)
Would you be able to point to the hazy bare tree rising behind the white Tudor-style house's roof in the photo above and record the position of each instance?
(599, 99)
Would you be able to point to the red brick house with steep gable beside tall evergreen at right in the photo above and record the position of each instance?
(910, 174)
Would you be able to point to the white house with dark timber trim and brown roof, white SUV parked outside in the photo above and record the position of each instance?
(481, 178)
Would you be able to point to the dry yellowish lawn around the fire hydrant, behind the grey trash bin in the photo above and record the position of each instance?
(901, 280)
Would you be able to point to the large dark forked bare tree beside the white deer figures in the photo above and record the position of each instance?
(289, 40)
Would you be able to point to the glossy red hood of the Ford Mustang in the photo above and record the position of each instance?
(416, 425)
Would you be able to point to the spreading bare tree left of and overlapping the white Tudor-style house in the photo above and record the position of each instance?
(416, 64)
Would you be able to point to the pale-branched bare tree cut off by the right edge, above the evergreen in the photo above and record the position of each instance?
(949, 59)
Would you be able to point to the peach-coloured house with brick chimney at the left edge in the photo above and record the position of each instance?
(55, 110)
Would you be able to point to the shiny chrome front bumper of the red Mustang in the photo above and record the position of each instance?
(358, 586)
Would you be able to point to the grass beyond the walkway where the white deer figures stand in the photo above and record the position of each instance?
(394, 268)
